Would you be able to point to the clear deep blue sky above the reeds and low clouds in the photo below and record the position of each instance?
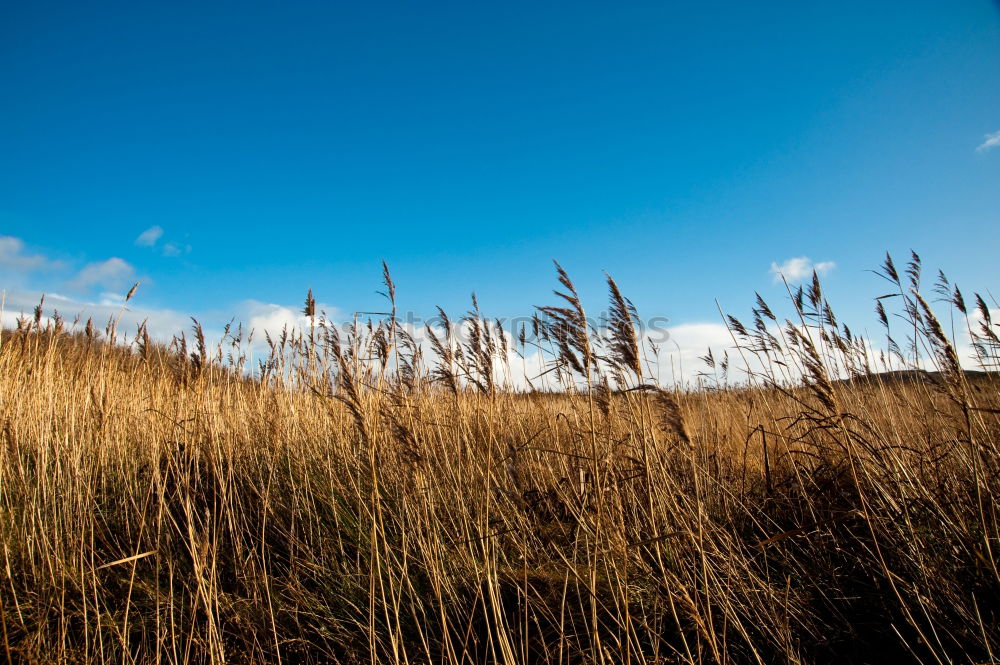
(682, 147)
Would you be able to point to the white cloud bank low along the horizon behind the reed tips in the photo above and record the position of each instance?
(96, 290)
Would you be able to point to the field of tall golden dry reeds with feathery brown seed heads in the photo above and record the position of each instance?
(367, 497)
